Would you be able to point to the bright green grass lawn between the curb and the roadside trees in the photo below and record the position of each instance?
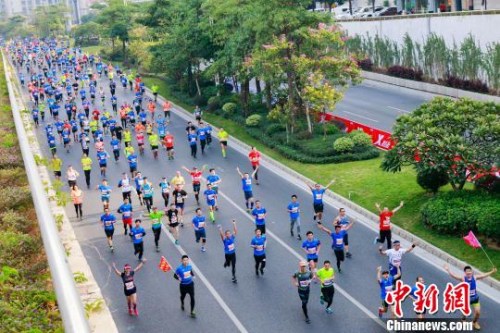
(366, 184)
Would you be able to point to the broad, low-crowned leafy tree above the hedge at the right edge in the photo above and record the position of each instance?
(457, 137)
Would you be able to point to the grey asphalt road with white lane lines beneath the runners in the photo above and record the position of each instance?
(264, 304)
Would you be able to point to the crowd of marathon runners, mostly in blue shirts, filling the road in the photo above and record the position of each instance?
(68, 90)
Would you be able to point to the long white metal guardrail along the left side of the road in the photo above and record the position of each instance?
(68, 298)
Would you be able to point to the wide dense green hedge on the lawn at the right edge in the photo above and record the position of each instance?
(456, 213)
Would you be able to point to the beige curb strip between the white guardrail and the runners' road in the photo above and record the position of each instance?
(101, 320)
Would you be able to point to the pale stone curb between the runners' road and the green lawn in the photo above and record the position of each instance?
(364, 216)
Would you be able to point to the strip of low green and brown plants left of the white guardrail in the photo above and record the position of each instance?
(27, 301)
